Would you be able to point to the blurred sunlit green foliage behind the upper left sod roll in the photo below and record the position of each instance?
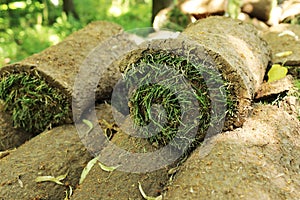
(29, 26)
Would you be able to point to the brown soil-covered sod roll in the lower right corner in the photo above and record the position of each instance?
(261, 160)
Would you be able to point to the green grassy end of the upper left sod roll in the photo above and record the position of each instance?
(33, 104)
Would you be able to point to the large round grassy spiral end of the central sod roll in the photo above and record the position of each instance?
(170, 98)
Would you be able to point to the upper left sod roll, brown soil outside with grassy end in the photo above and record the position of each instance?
(38, 91)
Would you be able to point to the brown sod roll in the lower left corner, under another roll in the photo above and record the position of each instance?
(58, 152)
